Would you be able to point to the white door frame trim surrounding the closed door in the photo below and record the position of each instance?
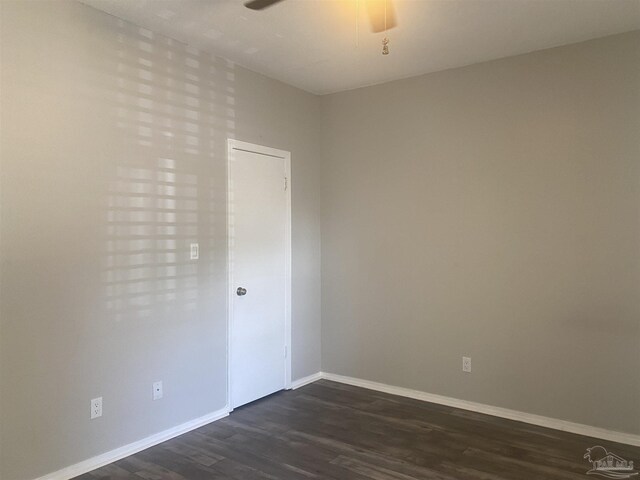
(233, 145)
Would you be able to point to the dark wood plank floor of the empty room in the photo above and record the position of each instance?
(327, 430)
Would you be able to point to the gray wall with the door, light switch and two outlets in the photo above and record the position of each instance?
(113, 160)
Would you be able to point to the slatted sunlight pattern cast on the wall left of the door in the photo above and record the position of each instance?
(174, 110)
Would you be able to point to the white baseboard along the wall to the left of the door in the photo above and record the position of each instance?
(135, 447)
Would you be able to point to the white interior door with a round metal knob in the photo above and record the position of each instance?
(258, 263)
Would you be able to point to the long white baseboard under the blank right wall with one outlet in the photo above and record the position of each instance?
(565, 426)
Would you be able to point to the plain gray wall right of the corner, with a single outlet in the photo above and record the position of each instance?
(491, 211)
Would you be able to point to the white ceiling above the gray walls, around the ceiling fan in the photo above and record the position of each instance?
(312, 44)
